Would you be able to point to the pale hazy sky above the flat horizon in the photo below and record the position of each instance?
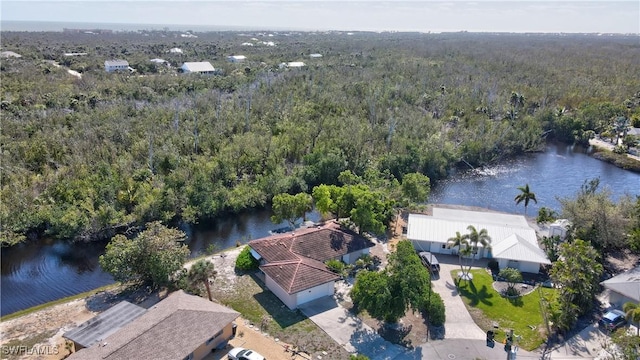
(351, 15)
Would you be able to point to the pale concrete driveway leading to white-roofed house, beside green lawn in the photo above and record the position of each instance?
(458, 324)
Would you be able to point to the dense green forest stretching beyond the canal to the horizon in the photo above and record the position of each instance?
(86, 157)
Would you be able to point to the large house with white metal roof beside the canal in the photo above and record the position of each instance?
(513, 243)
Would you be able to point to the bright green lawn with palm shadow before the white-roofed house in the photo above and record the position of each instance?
(487, 306)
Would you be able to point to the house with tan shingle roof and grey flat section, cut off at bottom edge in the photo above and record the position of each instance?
(181, 326)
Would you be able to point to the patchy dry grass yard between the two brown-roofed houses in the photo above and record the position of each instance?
(257, 304)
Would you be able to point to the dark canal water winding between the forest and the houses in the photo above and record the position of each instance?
(43, 271)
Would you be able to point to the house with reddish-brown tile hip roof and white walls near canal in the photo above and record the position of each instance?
(293, 263)
